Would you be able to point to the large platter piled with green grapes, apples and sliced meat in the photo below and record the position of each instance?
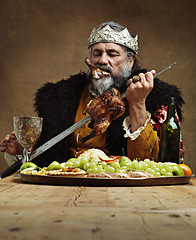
(95, 168)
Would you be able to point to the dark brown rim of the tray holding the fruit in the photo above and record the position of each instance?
(84, 181)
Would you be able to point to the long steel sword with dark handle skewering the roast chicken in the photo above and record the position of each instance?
(62, 135)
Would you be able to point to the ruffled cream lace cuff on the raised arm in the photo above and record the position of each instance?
(127, 127)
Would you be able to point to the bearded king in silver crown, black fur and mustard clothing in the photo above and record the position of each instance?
(135, 133)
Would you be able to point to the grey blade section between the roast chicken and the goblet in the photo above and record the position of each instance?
(58, 138)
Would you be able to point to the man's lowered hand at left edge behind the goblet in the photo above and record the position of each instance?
(11, 145)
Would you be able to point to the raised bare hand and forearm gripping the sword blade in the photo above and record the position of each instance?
(136, 95)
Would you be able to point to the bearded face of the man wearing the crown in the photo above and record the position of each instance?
(112, 58)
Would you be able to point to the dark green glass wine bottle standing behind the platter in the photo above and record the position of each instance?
(170, 137)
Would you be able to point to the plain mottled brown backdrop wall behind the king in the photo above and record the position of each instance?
(46, 40)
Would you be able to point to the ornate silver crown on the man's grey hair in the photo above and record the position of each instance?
(107, 34)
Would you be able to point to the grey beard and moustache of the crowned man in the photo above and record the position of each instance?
(99, 86)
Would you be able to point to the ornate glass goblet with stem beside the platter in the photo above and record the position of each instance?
(27, 131)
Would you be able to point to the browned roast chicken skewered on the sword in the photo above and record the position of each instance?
(103, 110)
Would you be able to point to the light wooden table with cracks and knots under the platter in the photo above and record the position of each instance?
(30, 211)
